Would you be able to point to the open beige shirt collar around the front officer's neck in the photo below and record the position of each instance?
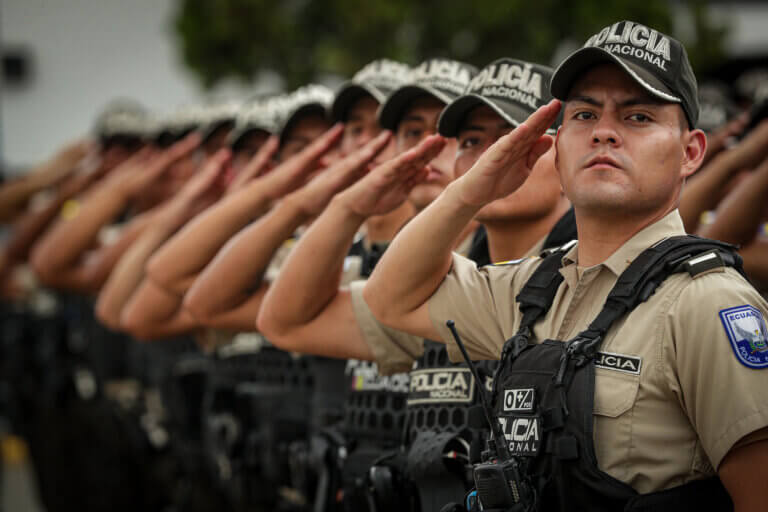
(670, 225)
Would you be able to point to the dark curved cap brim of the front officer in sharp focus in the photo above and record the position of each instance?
(581, 60)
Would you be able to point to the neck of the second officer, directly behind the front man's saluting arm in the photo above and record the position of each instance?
(513, 238)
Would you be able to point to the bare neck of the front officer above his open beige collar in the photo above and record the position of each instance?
(600, 235)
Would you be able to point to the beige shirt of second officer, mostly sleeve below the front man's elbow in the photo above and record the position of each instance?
(395, 351)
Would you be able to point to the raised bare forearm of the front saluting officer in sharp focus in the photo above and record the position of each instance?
(418, 259)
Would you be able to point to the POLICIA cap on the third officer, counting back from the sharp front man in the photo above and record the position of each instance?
(441, 78)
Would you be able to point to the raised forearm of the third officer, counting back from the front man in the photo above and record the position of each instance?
(240, 265)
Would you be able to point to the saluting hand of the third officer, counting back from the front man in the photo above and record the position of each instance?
(315, 195)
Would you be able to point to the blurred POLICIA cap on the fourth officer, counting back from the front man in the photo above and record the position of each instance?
(378, 79)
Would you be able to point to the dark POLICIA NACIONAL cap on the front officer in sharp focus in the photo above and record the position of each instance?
(656, 61)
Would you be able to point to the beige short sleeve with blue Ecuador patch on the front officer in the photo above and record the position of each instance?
(721, 386)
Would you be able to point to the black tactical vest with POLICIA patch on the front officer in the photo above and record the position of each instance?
(541, 456)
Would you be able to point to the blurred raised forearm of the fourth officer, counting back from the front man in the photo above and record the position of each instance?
(187, 253)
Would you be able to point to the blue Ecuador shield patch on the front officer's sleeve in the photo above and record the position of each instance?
(746, 330)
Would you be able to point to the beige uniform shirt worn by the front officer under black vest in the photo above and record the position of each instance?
(691, 399)
